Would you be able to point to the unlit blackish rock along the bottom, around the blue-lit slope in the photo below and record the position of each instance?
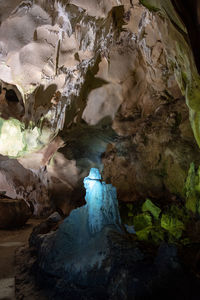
(135, 273)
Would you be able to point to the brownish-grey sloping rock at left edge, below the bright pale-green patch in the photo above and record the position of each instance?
(18, 182)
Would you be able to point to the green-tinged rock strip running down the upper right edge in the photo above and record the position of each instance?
(180, 58)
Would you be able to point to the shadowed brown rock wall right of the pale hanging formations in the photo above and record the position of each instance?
(150, 147)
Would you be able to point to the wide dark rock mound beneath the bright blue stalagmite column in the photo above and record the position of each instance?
(126, 271)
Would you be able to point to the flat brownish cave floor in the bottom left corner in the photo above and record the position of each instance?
(10, 241)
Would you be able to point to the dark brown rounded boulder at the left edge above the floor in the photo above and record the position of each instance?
(13, 213)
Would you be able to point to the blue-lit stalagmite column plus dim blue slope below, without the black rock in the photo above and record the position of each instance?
(81, 244)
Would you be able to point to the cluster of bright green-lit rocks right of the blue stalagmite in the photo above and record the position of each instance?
(153, 225)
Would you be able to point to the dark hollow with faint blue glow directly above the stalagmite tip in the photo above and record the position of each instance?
(86, 144)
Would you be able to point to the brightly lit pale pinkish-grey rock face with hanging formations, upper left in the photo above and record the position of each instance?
(46, 56)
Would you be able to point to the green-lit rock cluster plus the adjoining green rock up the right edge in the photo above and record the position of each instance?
(172, 223)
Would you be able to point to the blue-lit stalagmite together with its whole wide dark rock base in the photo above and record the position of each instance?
(90, 256)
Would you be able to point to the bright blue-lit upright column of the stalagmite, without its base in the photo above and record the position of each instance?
(101, 201)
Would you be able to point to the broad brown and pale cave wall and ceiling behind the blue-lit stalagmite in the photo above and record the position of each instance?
(108, 85)
